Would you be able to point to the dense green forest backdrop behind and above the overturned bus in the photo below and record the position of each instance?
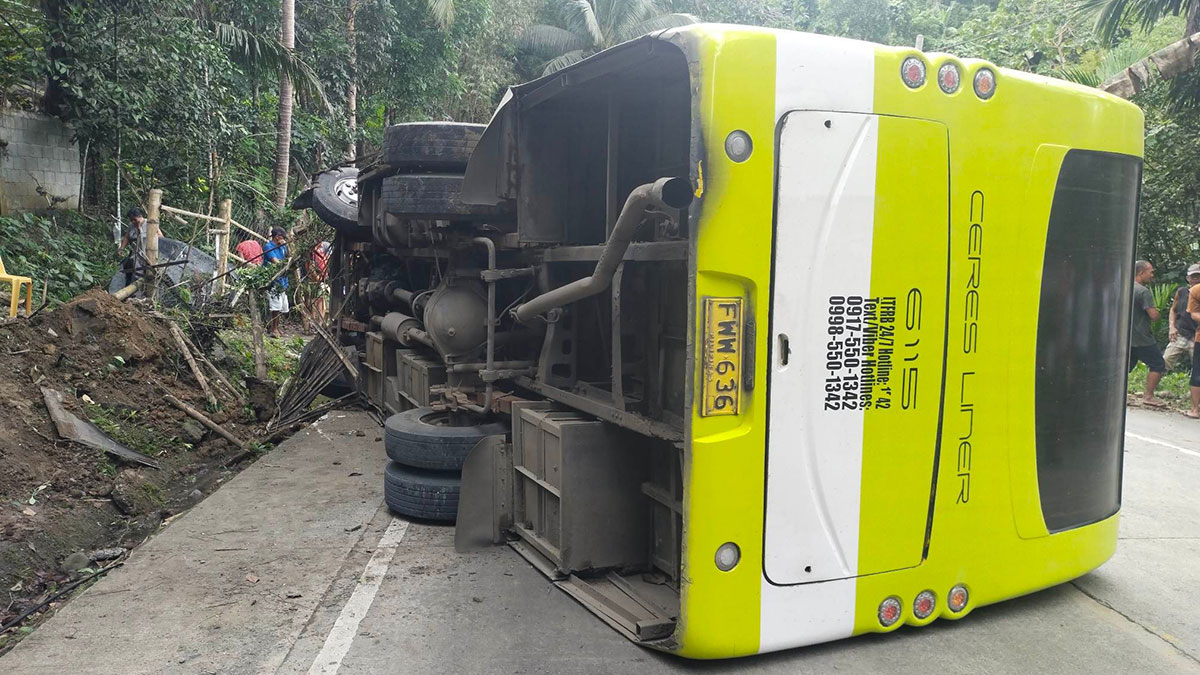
(185, 95)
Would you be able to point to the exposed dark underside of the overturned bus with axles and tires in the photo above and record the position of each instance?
(556, 306)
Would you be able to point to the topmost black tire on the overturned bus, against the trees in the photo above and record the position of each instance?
(430, 146)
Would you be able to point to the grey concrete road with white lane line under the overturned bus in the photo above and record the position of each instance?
(281, 572)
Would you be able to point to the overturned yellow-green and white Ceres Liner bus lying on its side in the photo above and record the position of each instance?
(753, 339)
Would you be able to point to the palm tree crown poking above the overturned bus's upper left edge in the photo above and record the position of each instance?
(586, 27)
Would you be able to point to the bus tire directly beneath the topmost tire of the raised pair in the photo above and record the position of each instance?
(435, 196)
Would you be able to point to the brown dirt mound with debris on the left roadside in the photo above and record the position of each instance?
(59, 500)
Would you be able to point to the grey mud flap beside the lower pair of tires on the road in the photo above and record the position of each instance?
(485, 503)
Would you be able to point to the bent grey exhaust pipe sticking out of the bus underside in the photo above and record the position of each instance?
(665, 193)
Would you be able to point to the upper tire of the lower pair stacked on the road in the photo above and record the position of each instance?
(423, 439)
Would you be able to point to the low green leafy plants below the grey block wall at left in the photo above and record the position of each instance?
(67, 250)
